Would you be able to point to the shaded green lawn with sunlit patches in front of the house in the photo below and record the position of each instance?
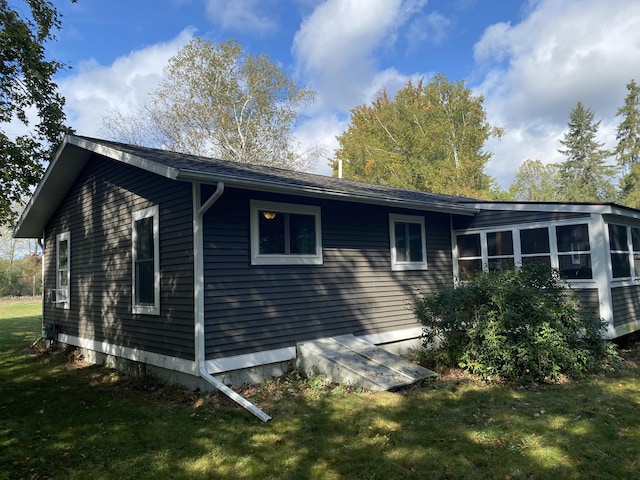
(64, 419)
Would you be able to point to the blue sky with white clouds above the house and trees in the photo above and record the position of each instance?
(532, 60)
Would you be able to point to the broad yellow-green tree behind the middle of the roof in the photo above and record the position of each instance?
(429, 137)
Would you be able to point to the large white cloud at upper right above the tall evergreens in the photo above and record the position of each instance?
(563, 51)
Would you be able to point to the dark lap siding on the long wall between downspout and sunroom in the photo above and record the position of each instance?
(252, 308)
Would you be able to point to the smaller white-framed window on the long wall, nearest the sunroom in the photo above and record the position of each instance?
(408, 242)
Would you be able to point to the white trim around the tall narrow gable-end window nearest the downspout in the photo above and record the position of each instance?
(136, 216)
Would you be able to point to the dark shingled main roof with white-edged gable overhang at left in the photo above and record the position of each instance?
(75, 151)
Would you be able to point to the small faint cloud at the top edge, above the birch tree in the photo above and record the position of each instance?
(242, 15)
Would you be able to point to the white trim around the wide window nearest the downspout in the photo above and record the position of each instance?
(282, 259)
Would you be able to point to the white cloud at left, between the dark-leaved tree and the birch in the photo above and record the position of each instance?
(93, 90)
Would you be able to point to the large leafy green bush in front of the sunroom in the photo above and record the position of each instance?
(520, 324)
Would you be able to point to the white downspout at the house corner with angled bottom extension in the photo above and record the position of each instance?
(199, 210)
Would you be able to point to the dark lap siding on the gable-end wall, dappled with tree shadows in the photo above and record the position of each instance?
(97, 211)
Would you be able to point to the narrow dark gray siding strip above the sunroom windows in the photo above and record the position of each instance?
(497, 218)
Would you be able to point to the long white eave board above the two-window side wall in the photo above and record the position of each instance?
(315, 192)
